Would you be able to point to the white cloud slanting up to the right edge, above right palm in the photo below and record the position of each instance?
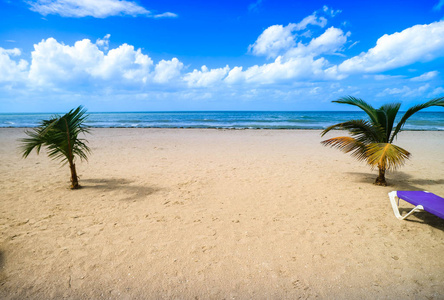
(420, 43)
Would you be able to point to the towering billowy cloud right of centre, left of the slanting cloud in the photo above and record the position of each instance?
(292, 61)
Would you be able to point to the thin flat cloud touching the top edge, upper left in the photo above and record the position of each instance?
(91, 8)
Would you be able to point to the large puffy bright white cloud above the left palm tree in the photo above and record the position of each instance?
(55, 63)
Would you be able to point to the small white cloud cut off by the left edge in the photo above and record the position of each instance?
(10, 70)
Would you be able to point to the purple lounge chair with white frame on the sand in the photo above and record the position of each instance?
(422, 201)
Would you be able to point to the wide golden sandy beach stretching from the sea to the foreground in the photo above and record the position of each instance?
(217, 214)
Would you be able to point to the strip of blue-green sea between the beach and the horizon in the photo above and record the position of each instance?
(223, 119)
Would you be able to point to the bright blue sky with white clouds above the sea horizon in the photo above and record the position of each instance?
(178, 55)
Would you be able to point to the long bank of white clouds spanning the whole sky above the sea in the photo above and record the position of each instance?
(92, 66)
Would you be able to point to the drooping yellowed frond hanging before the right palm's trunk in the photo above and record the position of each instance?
(386, 156)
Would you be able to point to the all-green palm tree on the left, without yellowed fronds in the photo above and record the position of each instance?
(60, 135)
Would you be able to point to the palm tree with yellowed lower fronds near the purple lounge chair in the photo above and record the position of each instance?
(372, 140)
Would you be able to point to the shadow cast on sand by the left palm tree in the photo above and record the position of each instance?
(134, 192)
